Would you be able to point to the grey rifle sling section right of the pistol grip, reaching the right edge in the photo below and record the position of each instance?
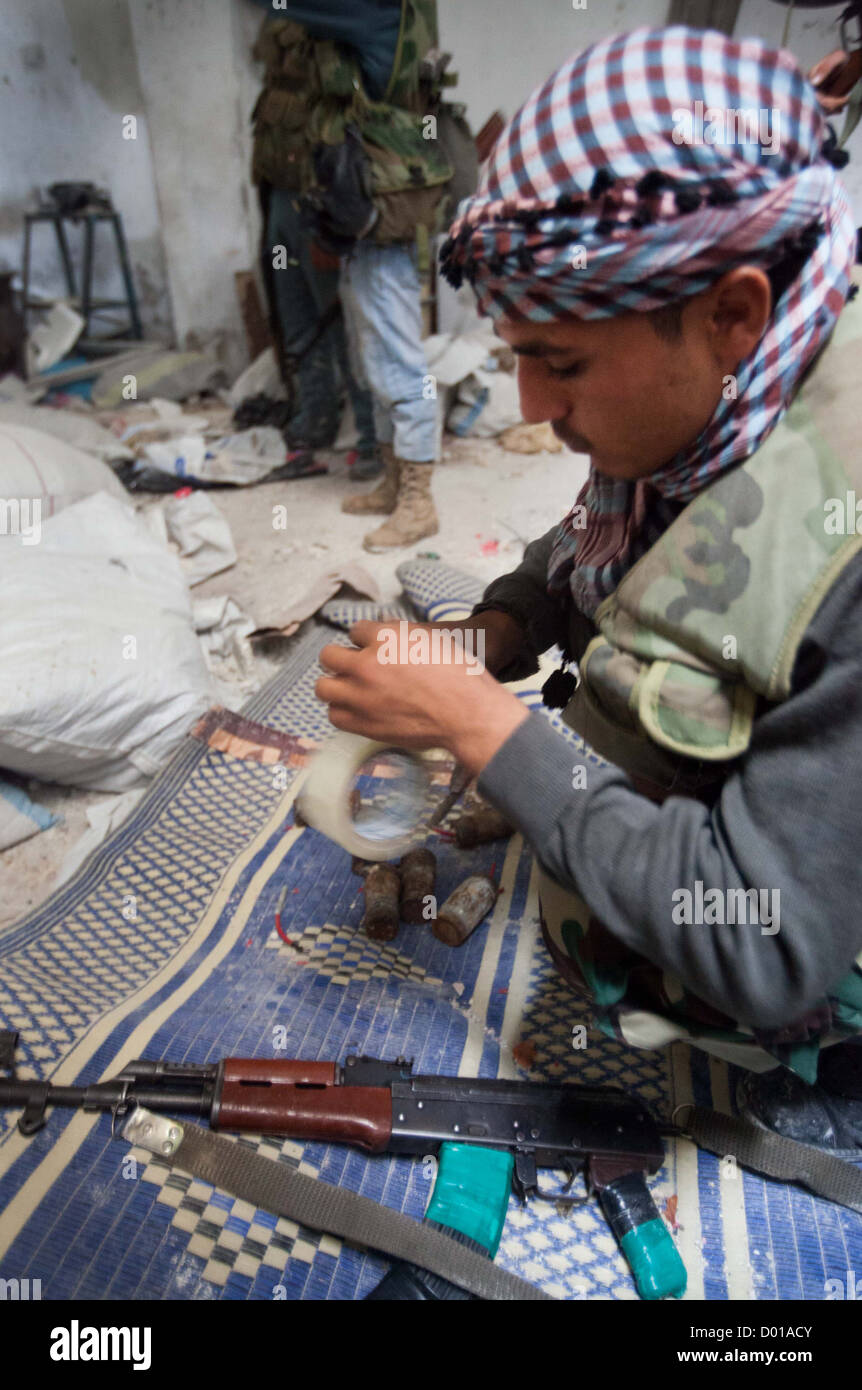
(776, 1157)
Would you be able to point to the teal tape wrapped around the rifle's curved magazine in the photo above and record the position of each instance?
(472, 1192)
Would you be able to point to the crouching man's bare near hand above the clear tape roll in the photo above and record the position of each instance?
(454, 705)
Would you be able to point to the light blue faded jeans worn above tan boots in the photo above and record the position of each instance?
(382, 293)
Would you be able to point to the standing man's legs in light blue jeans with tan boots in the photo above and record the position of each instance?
(382, 295)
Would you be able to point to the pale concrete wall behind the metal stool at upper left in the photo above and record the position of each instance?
(70, 72)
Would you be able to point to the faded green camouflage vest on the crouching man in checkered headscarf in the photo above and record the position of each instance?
(707, 625)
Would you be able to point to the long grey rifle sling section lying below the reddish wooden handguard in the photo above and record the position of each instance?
(279, 1189)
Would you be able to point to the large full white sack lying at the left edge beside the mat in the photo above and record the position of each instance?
(102, 673)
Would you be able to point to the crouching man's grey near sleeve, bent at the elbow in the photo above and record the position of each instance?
(789, 821)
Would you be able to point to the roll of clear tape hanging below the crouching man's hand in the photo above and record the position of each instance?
(377, 833)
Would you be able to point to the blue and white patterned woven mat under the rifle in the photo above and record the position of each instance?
(165, 946)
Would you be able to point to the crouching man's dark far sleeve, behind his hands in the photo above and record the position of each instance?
(523, 597)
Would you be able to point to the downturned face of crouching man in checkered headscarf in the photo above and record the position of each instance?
(615, 390)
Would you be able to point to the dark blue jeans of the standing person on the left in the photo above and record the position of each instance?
(302, 294)
